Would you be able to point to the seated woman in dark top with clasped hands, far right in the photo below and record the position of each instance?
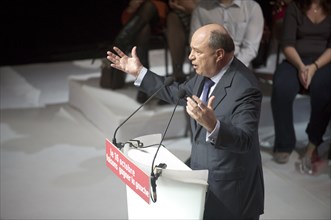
(306, 44)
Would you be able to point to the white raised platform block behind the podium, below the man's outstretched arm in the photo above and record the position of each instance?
(107, 109)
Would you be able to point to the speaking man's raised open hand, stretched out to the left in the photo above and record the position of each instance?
(130, 65)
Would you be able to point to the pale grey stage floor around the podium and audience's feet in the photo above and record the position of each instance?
(53, 157)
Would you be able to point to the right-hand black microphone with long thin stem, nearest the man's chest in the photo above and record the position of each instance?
(158, 169)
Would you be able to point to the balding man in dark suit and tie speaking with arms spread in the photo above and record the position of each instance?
(224, 128)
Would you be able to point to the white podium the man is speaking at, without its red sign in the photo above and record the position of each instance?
(180, 190)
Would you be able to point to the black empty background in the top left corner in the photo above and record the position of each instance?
(47, 31)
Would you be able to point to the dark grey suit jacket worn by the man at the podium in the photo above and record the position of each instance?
(236, 188)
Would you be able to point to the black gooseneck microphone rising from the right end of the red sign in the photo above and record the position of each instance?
(155, 176)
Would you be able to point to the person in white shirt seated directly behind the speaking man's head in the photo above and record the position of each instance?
(242, 19)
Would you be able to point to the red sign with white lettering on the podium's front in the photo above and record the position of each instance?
(127, 171)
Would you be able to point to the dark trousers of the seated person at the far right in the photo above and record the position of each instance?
(286, 86)
